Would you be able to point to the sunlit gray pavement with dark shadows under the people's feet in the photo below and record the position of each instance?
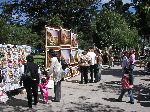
(91, 97)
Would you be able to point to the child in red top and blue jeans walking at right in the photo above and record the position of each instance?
(127, 85)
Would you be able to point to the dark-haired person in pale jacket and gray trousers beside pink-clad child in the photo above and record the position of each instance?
(57, 71)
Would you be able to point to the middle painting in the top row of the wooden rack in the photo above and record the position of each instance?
(65, 37)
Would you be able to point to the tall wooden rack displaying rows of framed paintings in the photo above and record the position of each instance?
(65, 43)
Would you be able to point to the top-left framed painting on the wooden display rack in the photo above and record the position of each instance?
(52, 36)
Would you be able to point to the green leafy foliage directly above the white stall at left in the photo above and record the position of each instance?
(20, 35)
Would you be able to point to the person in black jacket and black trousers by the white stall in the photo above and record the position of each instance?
(31, 82)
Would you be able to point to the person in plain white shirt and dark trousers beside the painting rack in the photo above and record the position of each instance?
(92, 56)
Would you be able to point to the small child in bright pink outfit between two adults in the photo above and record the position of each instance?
(44, 89)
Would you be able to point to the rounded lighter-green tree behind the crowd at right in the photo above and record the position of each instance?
(112, 29)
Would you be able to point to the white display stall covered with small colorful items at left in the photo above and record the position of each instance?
(12, 58)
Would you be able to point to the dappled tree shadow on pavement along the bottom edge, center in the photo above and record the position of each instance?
(92, 107)
